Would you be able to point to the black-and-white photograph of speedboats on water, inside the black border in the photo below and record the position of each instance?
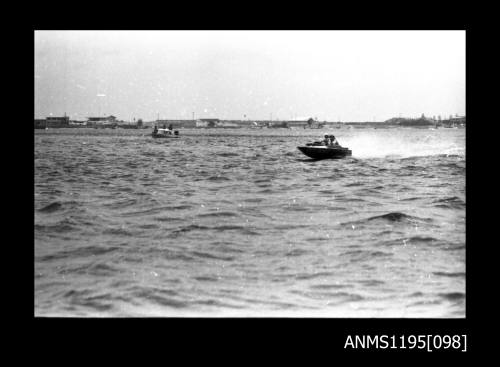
(250, 174)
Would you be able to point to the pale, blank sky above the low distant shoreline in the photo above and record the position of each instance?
(331, 75)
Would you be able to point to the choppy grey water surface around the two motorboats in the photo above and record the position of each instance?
(240, 223)
